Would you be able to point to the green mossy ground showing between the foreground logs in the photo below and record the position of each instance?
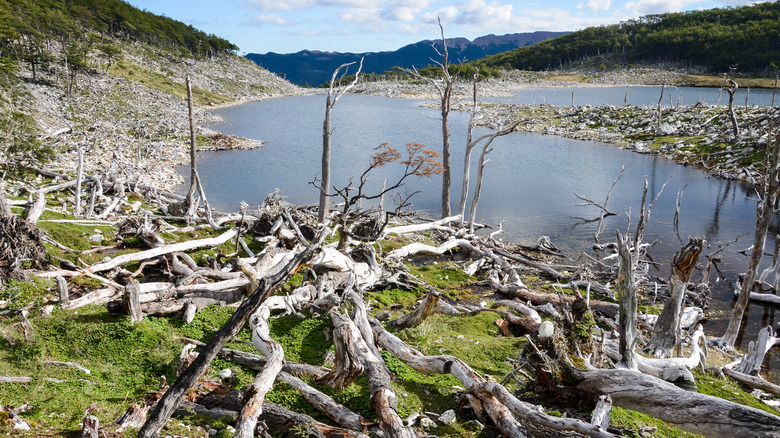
(127, 361)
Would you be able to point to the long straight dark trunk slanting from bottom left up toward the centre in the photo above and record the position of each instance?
(184, 382)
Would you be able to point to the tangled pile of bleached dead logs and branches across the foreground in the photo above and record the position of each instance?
(558, 364)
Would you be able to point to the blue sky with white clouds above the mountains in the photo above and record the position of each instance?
(286, 26)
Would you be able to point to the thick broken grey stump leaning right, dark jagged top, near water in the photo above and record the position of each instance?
(667, 331)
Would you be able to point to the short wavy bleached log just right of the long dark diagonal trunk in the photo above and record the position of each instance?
(255, 395)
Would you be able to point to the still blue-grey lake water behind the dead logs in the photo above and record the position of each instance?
(529, 186)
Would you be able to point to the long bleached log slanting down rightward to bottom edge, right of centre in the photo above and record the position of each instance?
(502, 407)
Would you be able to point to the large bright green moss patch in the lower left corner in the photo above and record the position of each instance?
(125, 361)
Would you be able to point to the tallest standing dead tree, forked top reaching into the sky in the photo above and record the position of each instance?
(444, 85)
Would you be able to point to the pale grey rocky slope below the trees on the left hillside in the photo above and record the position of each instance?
(132, 121)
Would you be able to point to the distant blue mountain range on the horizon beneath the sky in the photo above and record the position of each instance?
(315, 68)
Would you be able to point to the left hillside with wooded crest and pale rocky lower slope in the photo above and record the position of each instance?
(109, 79)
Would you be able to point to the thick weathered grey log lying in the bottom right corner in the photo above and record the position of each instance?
(691, 411)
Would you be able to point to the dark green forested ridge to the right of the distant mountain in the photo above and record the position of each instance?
(713, 39)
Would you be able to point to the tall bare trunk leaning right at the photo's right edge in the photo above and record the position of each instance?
(765, 210)
